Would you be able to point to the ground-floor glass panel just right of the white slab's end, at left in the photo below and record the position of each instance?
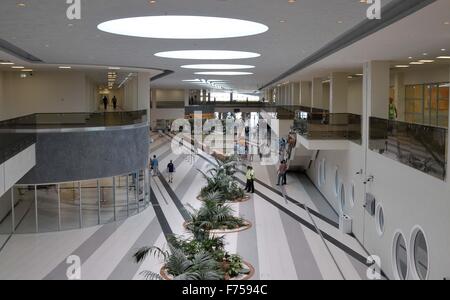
(47, 205)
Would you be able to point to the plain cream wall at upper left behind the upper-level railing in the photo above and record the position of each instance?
(44, 92)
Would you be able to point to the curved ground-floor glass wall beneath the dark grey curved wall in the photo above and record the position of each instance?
(74, 205)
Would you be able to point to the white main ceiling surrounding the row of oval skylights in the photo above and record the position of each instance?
(42, 29)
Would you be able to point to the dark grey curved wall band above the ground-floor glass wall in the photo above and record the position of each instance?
(62, 157)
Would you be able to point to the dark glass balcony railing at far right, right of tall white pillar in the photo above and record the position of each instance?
(421, 147)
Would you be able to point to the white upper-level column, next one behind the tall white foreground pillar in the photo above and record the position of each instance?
(338, 92)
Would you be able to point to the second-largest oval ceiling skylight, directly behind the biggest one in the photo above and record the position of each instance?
(207, 54)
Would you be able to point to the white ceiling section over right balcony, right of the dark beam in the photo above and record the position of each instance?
(422, 32)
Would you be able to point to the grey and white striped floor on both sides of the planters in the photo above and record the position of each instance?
(294, 236)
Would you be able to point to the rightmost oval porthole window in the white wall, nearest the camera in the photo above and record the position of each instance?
(419, 254)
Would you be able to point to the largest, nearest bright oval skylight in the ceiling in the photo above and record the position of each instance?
(182, 27)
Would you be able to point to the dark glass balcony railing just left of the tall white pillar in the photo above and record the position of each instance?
(326, 126)
